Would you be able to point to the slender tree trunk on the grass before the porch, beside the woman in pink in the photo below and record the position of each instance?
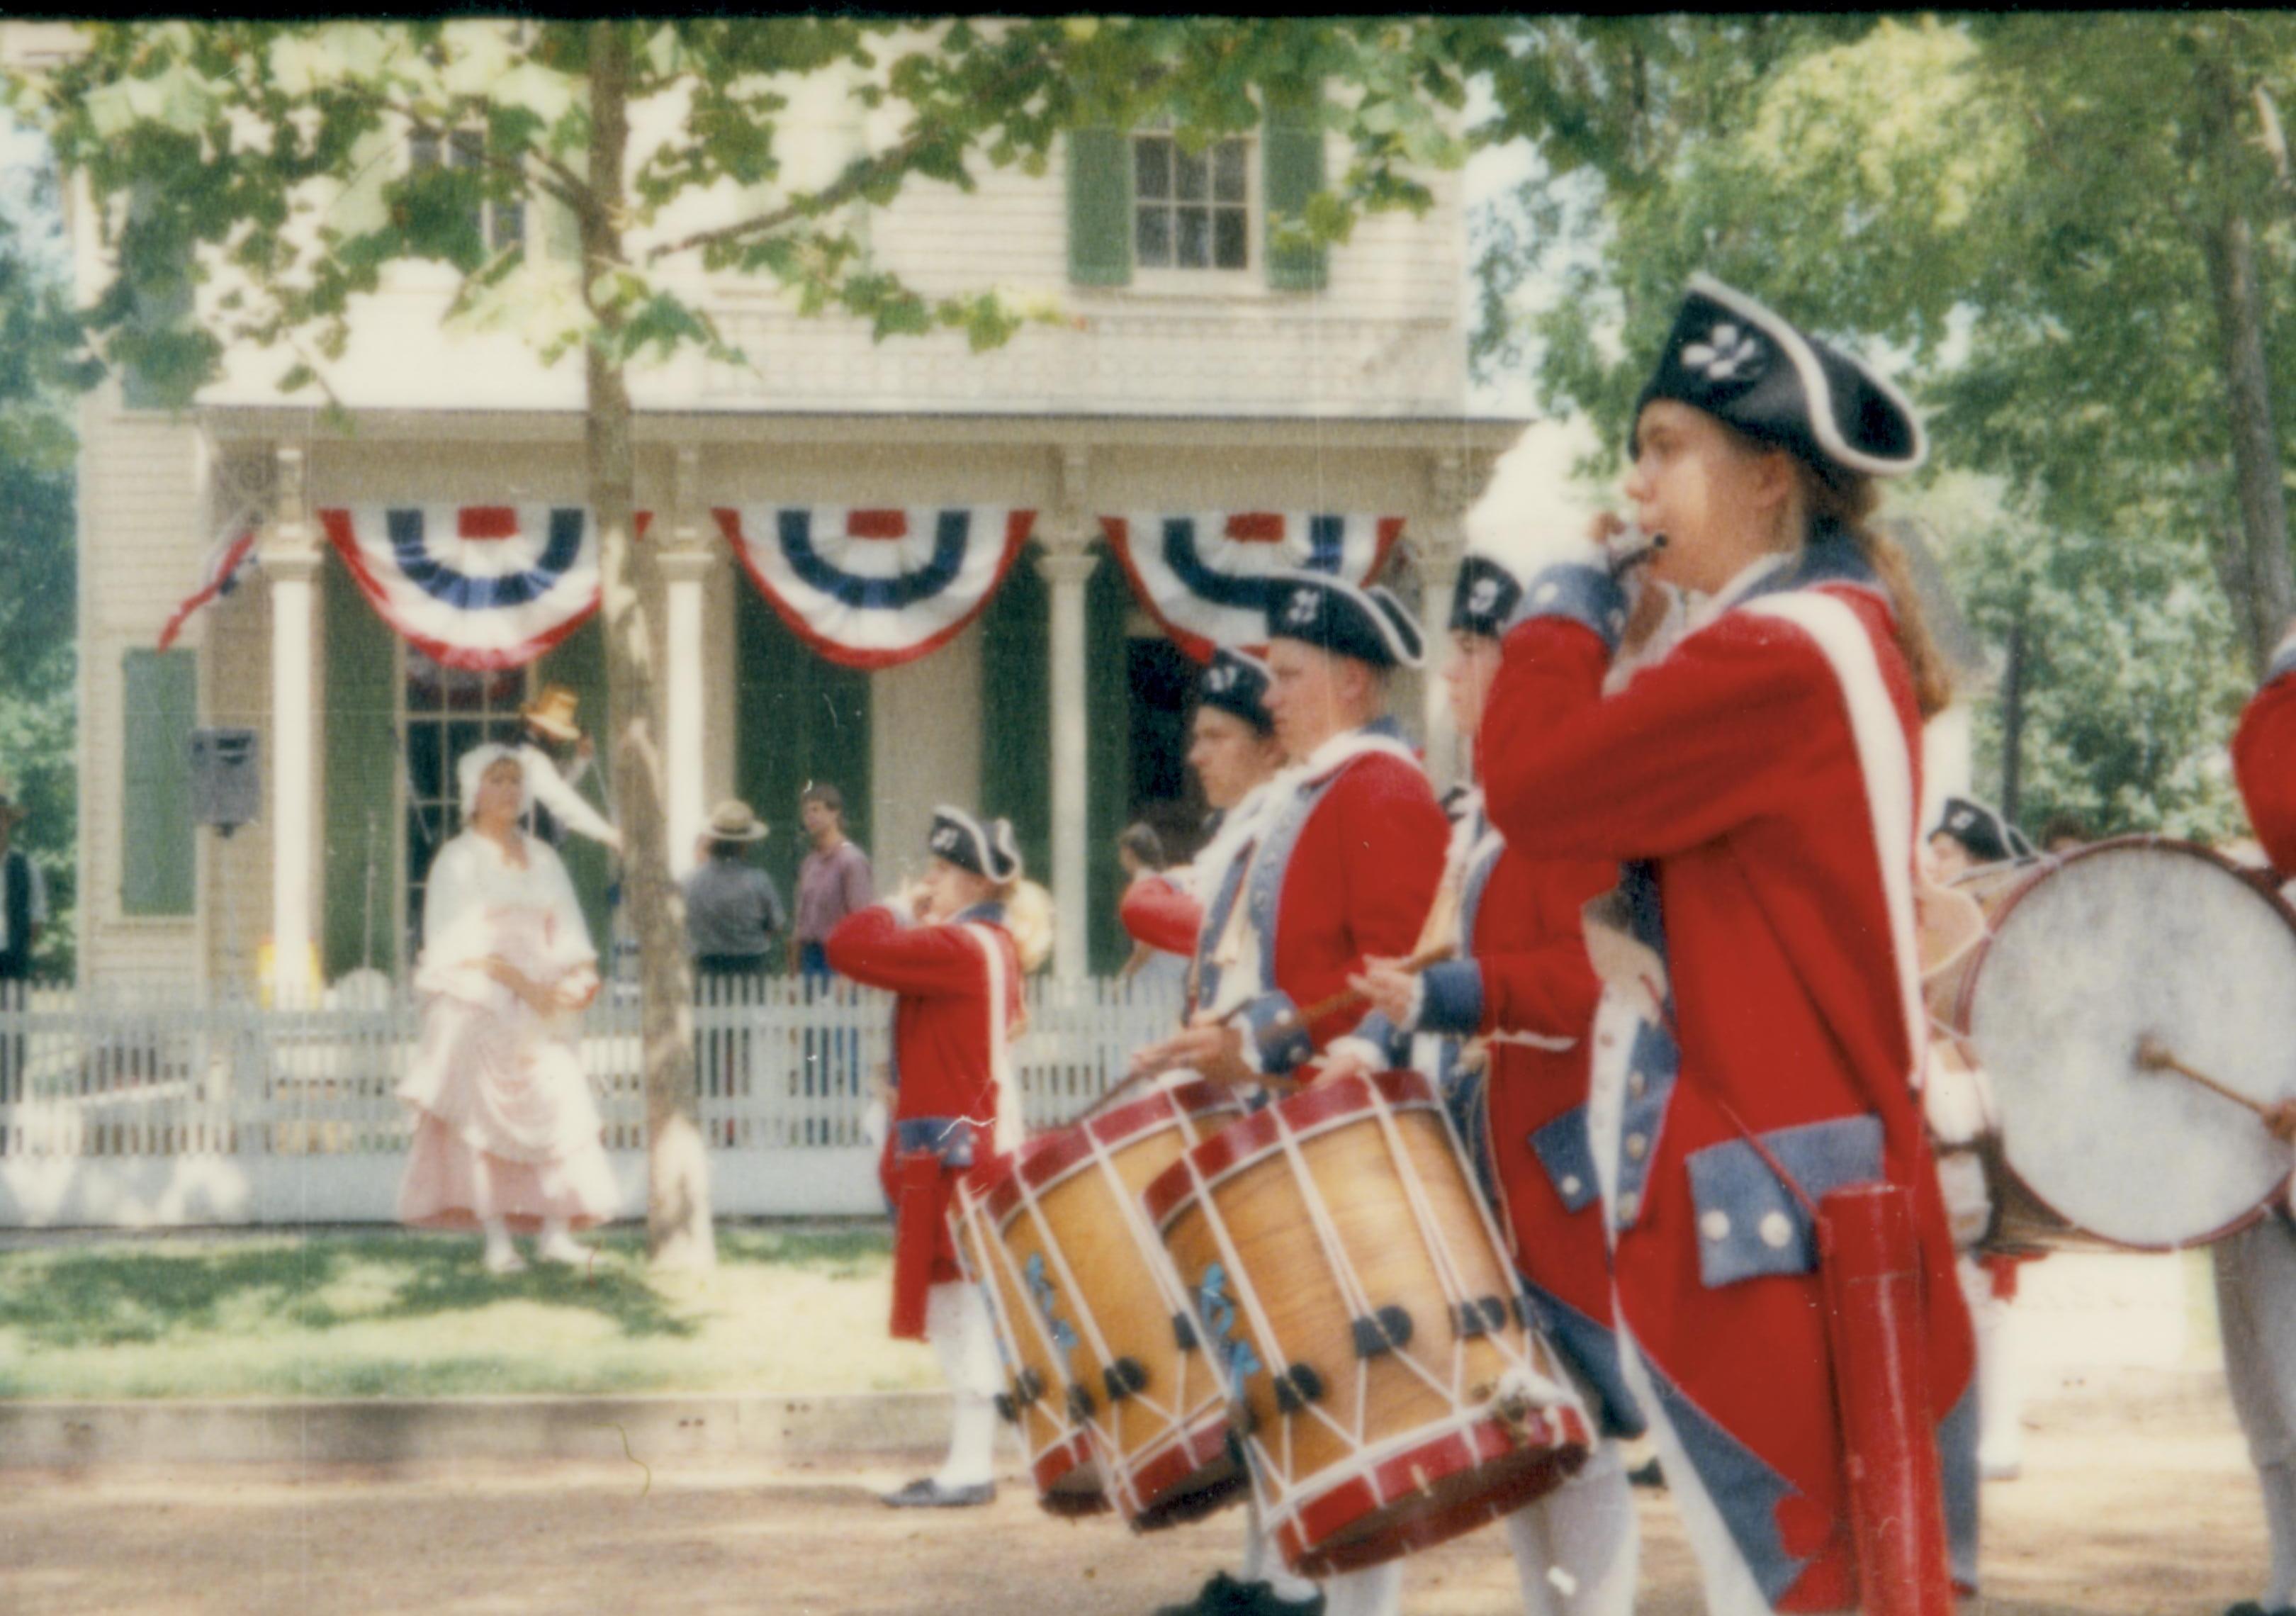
(678, 1232)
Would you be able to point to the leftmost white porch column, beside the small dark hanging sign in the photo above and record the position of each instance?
(290, 559)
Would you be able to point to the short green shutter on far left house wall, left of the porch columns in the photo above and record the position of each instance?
(155, 825)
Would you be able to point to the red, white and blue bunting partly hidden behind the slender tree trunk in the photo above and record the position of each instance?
(474, 586)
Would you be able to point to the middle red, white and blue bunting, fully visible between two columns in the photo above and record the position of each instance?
(876, 589)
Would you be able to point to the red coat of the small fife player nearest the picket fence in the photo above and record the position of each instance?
(956, 1007)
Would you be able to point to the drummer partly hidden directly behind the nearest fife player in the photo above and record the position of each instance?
(1526, 990)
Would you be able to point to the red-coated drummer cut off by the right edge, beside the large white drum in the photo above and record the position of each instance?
(2256, 1271)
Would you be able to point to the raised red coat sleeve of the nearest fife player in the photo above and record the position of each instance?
(1714, 736)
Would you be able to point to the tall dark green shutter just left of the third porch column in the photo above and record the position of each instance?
(1016, 710)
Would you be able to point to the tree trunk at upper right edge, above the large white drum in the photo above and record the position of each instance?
(2231, 247)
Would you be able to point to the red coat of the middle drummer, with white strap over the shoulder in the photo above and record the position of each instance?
(1344, 867)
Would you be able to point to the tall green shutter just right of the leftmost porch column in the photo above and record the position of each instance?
(359, 740)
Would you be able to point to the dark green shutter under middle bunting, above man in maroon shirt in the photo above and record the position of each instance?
(798, 720)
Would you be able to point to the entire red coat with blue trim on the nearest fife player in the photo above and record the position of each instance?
(1767, 770)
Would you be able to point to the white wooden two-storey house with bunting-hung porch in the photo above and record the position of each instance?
(1195, 373)
